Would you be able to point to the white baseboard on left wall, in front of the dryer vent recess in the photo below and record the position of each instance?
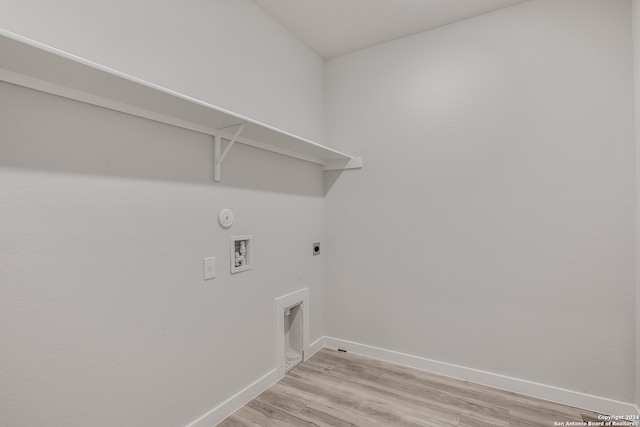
(237, 401)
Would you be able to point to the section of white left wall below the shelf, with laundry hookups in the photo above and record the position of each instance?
(105, 319)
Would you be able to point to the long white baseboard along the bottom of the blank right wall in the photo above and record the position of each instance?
(529, 388)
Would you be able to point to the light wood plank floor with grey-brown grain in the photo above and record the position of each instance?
(342, 389)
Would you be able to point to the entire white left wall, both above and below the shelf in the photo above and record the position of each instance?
(105, 319)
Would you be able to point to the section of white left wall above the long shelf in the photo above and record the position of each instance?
(229, 53)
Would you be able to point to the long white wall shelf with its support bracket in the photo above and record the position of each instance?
(37, 66)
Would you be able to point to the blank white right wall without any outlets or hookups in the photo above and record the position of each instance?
(493, 224)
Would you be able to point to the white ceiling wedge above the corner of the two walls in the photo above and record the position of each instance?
(335, 27)
